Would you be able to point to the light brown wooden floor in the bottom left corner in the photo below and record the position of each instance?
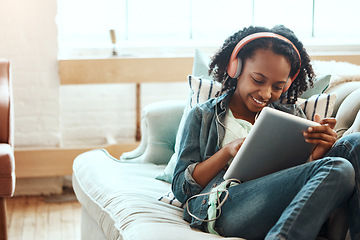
(38, 218)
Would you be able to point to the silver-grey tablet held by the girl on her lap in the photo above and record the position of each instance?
(275, 142)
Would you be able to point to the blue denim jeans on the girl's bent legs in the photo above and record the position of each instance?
(295, 203)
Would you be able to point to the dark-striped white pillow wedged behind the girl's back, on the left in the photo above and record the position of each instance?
(200, 91)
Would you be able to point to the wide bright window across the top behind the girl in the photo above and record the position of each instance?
(85, 24)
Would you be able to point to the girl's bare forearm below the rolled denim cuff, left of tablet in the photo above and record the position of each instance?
(205, 171)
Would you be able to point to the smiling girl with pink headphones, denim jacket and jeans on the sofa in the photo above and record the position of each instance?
(261, 67)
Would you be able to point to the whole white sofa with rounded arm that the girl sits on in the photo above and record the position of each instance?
(120, 198)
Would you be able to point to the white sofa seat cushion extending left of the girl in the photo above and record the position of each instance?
(122, 198)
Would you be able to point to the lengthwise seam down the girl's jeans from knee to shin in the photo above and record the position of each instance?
(288, 225)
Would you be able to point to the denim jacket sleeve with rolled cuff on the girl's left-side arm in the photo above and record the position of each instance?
(183, 185)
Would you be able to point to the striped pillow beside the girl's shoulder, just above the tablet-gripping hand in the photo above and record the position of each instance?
(322, 104)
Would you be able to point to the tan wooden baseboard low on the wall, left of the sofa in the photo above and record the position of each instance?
(33, 163)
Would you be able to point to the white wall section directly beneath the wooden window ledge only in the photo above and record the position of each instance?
(98, 114)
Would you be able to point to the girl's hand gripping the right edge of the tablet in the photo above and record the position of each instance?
(322, 136)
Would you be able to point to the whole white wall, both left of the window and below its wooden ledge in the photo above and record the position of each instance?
(50, 115)
